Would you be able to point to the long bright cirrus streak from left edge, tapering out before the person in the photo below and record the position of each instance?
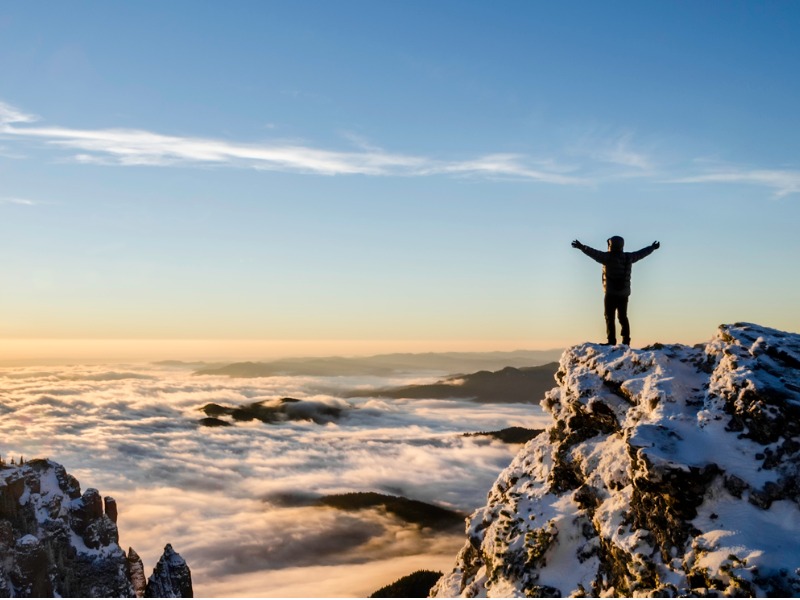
(129, 147)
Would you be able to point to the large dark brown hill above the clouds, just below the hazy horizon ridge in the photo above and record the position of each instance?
(509, 385)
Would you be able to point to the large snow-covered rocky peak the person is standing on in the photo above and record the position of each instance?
(668, 471)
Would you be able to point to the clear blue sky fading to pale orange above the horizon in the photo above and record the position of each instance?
(395, 172)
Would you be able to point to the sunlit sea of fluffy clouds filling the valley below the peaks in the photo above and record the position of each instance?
(236, 502)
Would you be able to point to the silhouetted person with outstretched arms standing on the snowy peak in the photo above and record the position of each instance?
(616, 282)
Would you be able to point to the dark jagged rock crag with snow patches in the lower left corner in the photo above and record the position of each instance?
(55, 541)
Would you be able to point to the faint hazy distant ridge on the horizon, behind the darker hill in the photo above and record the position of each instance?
(385, 364)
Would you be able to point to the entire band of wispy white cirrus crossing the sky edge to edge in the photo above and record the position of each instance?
(598, 155)
